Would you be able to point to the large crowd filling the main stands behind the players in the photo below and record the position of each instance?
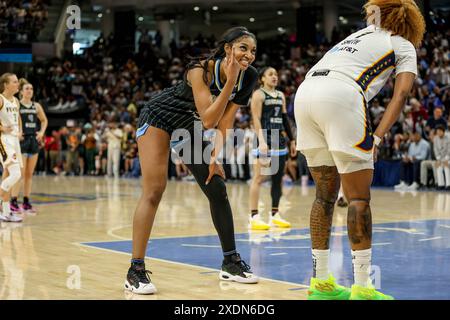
(113, 87)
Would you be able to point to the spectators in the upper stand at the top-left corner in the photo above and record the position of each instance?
(22, 20)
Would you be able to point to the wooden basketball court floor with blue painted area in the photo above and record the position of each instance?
(78, 245)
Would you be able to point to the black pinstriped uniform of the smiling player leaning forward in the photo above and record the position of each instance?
(174, 107)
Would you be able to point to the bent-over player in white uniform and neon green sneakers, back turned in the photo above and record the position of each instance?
(335, 134)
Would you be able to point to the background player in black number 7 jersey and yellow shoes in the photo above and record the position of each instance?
(270, 120)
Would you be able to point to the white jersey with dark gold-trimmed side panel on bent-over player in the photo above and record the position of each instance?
(369, 56)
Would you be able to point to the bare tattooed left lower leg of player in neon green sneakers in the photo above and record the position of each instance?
(327, 187)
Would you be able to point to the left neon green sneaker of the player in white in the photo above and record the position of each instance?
(327, 290)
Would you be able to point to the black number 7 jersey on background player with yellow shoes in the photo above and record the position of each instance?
(271, 114)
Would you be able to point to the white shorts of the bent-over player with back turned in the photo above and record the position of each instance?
(333, 125)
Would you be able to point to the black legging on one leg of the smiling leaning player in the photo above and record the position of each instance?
(216, 193)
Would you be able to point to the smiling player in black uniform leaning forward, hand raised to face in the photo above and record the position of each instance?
(212, 90)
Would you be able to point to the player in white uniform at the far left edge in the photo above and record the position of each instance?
(10, 131)
